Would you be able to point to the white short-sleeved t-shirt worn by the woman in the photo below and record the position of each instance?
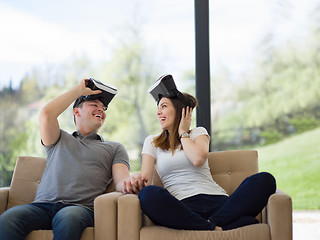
(179, 176)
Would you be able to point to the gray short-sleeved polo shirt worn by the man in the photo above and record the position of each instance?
(79, 168)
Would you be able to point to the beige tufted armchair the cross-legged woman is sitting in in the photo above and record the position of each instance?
(229, 169)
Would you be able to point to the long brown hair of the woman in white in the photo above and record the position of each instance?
(166, 142)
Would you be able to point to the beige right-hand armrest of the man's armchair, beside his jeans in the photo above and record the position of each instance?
(105, 216)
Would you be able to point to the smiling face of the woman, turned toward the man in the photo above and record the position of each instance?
(166, 114)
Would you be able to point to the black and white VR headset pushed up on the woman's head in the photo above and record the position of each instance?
(165, 87)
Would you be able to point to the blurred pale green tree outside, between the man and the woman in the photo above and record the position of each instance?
(132, 71)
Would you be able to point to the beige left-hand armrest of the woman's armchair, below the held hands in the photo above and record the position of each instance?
(129, 217)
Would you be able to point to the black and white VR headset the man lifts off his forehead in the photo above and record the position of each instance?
(107, 94)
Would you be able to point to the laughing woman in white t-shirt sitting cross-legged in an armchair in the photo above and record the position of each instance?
(190, 199)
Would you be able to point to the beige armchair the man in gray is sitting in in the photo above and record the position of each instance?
(25, 181)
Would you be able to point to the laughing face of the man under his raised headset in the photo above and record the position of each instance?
(91, 114)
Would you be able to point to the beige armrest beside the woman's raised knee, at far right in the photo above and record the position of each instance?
(279, 216)
